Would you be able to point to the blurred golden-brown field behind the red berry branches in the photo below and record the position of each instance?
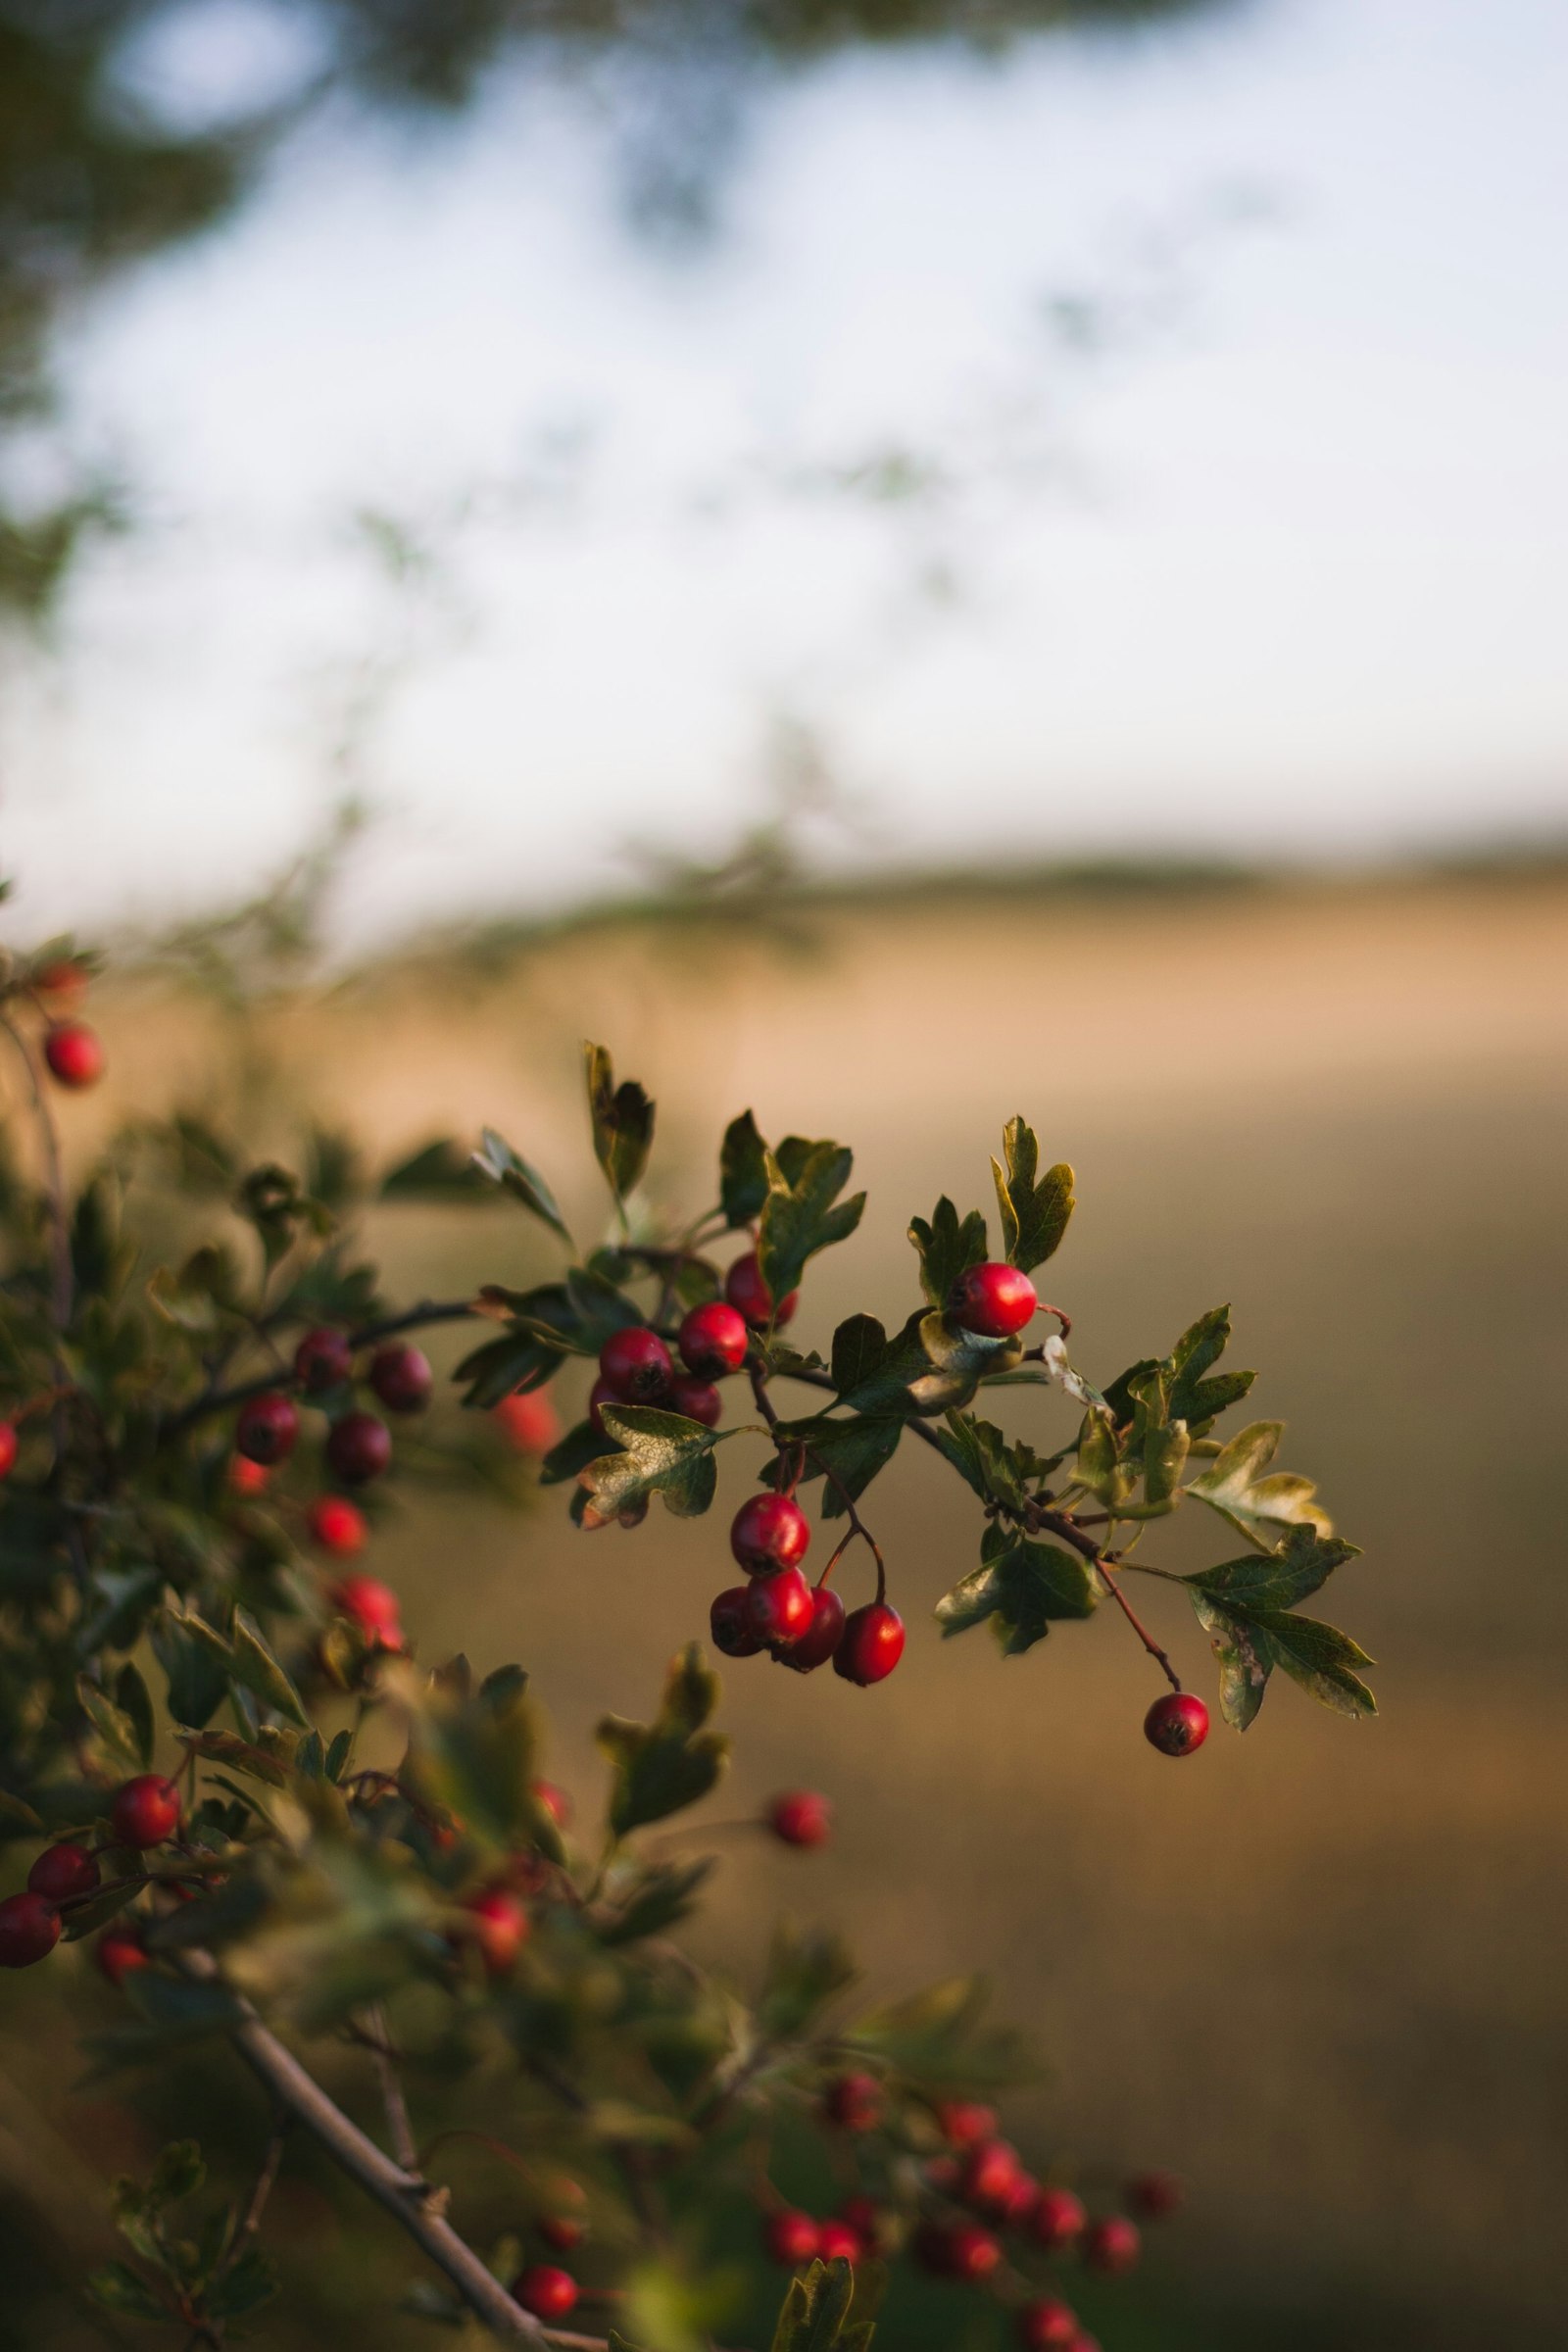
(1320, 1972)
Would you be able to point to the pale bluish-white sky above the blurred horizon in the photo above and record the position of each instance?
(1282, 568)
